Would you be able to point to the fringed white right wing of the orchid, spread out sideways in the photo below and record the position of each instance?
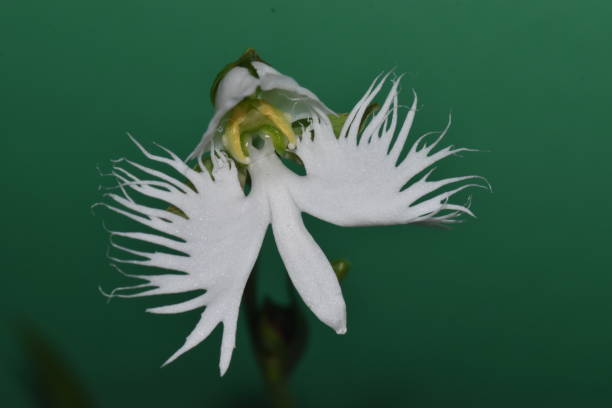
(359, 178)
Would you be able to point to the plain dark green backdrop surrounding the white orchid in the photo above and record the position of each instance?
(511, 309)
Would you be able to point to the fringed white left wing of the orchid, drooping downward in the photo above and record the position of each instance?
(216, 244)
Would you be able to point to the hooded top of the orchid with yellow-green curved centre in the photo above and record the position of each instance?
(248, 94)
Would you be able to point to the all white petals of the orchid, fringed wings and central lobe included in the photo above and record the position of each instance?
(357, 178)
